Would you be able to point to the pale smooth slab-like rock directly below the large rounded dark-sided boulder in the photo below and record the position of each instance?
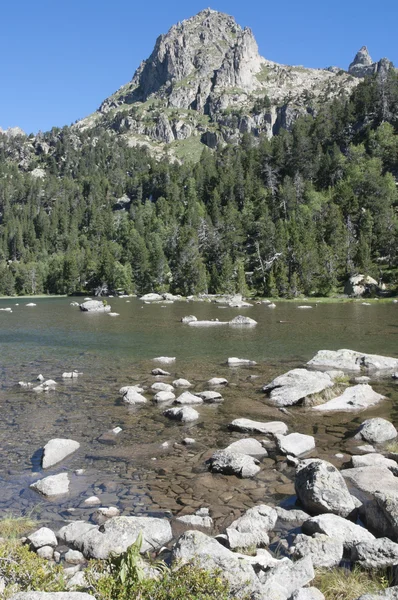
(337, 528)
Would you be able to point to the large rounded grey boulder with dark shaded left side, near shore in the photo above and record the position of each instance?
(321, 488)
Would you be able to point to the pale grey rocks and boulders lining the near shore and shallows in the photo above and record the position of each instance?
(341, 516)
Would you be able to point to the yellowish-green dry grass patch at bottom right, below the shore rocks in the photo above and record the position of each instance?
(341, 584)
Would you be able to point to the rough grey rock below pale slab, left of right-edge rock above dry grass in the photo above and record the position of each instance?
(324, 551)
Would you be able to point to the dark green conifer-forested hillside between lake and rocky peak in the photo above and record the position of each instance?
(294, 214)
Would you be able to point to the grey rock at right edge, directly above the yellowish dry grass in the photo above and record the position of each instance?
(375, 554)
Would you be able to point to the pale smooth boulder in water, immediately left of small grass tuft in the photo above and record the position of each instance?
(297, 385)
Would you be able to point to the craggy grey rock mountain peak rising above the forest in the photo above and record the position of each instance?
(205, 83)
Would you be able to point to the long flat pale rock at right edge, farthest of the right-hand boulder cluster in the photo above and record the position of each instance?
(350, 360)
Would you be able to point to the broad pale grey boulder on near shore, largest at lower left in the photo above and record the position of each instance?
(118, 533)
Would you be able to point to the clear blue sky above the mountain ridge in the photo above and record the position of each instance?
(61, 58)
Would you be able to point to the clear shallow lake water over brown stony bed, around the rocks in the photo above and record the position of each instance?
(54, 337)
